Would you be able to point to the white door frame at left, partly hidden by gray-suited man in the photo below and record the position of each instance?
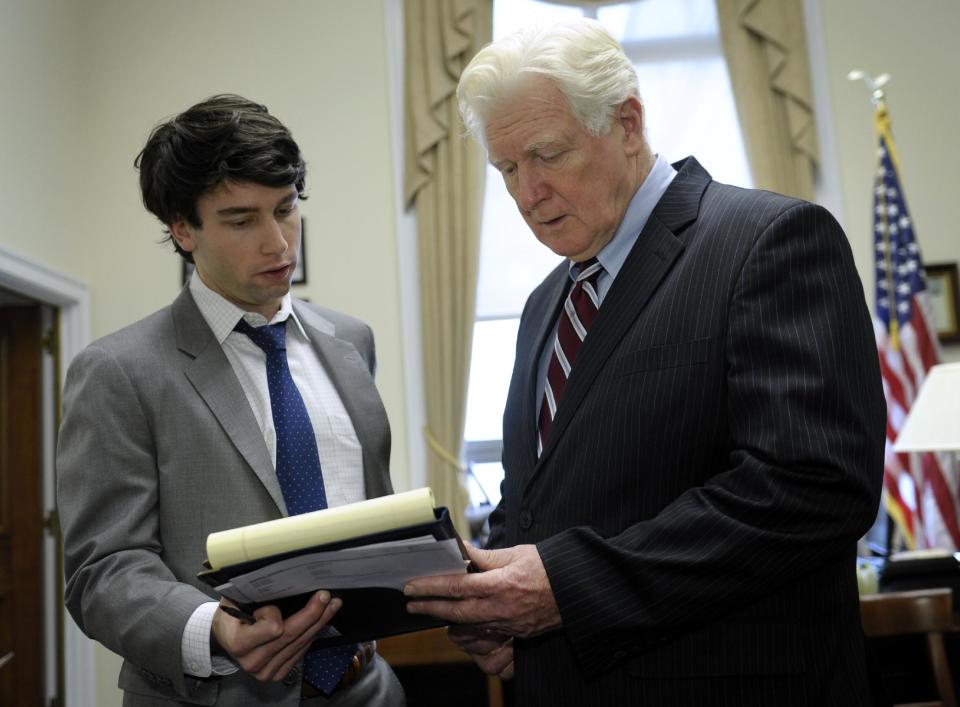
(72, 300)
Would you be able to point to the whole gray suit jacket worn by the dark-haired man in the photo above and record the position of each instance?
(158, 448)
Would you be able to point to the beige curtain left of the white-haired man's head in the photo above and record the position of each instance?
(444, 181)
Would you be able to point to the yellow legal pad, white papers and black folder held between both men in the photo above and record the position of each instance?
(364, 553)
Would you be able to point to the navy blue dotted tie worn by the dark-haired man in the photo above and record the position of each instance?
(298, 471)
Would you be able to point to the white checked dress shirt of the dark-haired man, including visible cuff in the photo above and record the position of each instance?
(341, 457)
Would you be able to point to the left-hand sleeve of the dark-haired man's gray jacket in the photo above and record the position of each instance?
(118, 589)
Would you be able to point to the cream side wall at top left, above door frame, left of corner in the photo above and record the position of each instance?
(40, 154)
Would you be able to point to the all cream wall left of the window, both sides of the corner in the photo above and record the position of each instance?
(82, 84)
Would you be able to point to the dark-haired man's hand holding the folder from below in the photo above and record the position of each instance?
(269, 648)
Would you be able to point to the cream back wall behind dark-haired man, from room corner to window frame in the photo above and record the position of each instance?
(321, 68)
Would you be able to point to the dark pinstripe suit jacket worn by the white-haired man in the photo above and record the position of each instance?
(717, 454)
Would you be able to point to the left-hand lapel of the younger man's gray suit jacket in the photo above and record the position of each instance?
(213, 378)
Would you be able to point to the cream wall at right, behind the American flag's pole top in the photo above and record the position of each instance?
(916, 43)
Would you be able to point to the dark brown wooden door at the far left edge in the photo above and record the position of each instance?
(21, 522)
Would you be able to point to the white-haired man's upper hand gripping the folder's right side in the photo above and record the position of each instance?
(510, 596)
